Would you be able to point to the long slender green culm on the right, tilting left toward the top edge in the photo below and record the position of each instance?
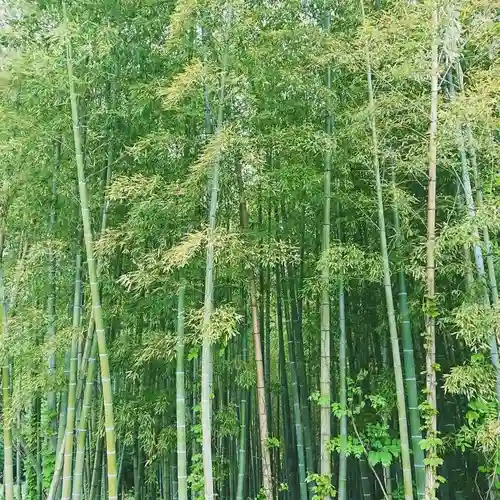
(391, 316)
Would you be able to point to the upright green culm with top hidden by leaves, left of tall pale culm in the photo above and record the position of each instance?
(181, 399)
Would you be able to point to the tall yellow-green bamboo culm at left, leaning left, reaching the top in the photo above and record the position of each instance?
(94, 288)
